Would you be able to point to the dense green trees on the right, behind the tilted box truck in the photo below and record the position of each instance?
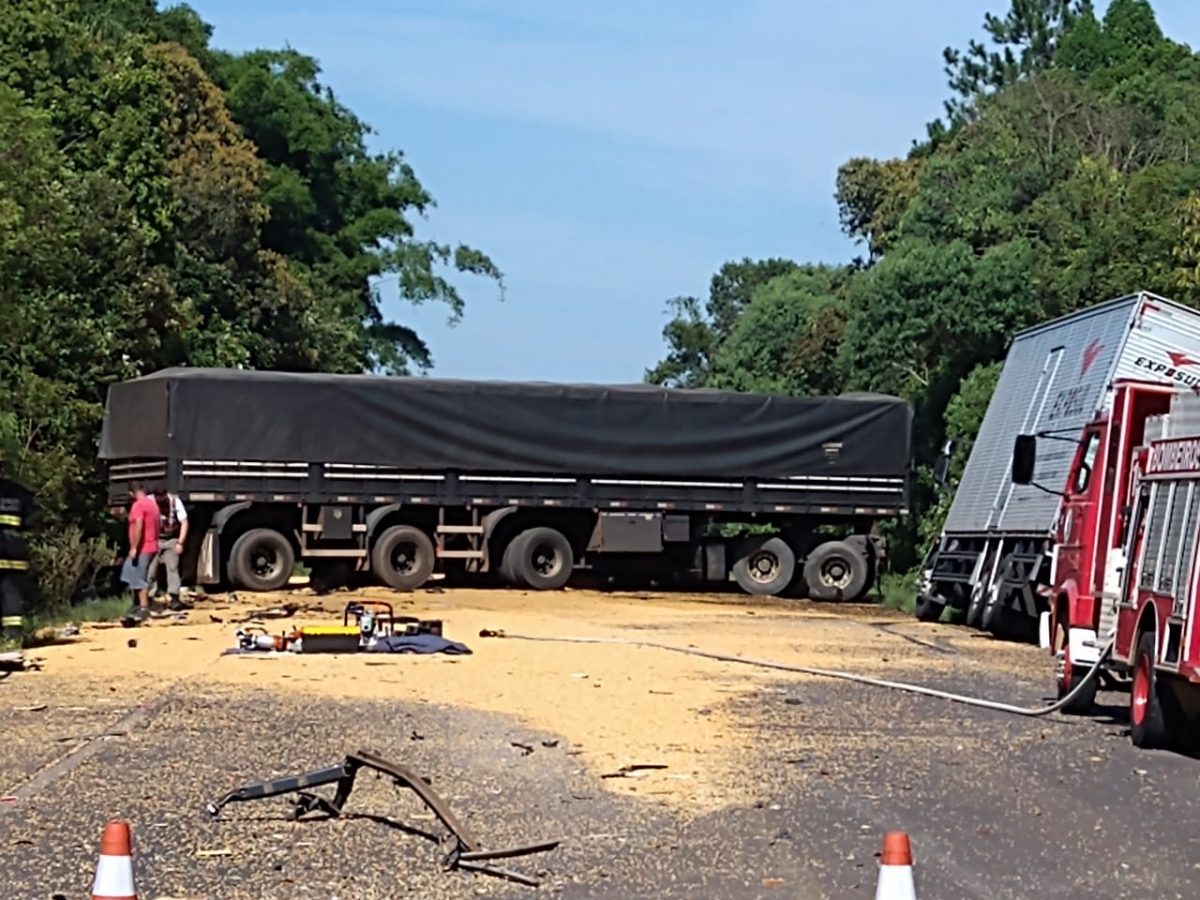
(1064, 175)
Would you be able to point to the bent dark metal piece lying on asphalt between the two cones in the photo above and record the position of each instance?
(465, 851)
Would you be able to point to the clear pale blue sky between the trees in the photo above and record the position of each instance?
(610, 157)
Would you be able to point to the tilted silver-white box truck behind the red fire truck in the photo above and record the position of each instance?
(995, 556)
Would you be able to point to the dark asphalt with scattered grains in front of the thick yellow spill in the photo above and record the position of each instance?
(998, 807)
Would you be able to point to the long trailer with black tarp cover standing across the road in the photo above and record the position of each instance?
(400, 479)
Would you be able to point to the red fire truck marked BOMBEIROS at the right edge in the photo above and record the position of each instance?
(1126, 563)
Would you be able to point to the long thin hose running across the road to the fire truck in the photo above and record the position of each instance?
(1093, 674)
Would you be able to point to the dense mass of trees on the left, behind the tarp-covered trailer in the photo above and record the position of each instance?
(164, 203)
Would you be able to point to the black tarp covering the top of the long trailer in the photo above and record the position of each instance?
(424, 424)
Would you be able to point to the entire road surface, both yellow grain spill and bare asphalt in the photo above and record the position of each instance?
(769, 785)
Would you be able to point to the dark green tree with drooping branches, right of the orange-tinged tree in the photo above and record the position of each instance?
(338, 213)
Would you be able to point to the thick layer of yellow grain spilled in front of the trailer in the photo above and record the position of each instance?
(614, 706)
